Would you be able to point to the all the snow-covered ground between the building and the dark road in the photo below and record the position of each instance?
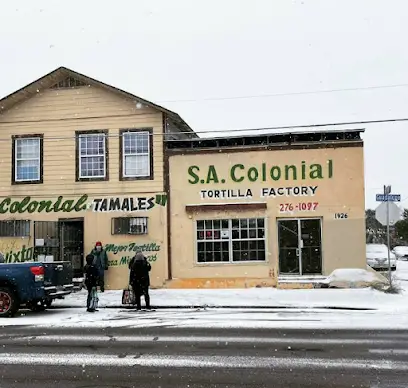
(353, 308)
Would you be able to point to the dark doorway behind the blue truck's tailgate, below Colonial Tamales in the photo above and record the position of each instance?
(72, 243)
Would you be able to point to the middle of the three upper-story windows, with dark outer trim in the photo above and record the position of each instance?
(92, 155)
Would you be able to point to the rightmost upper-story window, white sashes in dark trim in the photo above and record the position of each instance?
(136, 154)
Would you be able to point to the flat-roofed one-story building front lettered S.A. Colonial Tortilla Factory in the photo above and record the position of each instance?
(255, 210)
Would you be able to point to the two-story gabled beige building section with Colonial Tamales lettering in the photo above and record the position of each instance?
(82, 161)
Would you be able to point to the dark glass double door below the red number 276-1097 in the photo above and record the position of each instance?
(300, 246)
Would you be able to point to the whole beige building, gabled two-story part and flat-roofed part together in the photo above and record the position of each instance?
(82, 161)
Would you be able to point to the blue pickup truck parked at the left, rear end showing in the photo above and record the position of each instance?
(33, 285)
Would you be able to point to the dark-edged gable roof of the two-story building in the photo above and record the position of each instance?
(61, 73)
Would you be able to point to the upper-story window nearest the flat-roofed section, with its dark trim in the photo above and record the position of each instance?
(136, 154)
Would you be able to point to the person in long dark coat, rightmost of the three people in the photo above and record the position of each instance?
(140, 279)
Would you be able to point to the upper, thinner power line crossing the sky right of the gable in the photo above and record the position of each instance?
(285, 94)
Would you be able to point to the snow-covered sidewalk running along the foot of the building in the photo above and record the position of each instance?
(352, 299)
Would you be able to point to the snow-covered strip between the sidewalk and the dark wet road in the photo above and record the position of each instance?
(215, 318)
